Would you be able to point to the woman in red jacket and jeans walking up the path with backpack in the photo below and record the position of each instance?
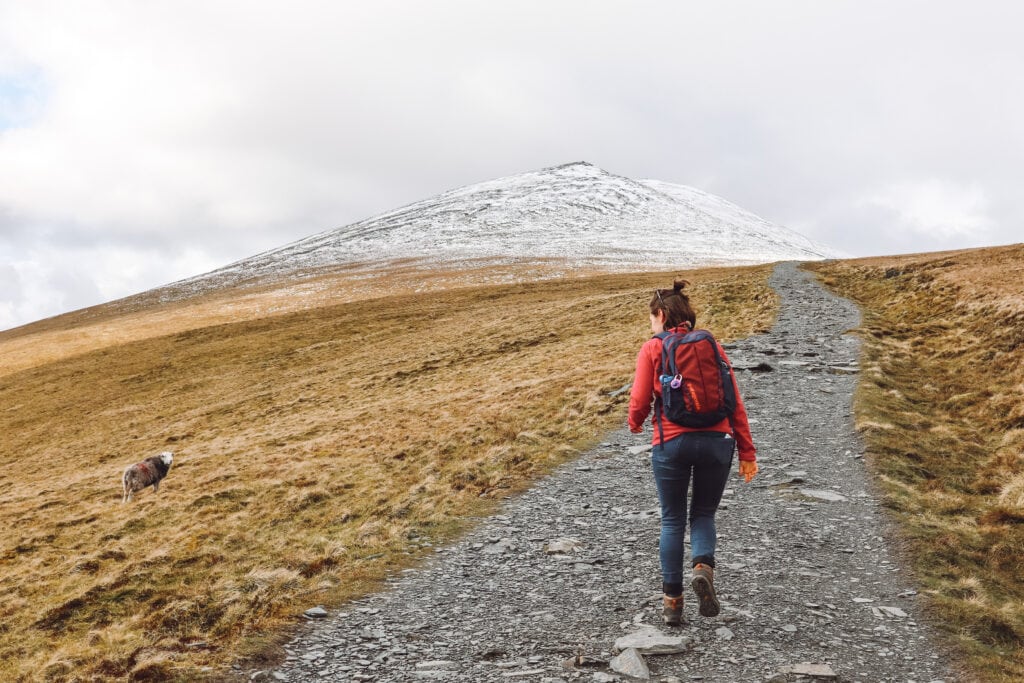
(684, 454)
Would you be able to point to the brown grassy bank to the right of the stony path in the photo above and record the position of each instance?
(942, 408)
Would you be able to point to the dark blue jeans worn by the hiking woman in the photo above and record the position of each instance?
(705, 458)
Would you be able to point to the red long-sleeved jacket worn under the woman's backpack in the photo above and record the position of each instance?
(647, 390)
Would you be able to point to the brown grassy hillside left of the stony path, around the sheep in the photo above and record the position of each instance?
(316, 451)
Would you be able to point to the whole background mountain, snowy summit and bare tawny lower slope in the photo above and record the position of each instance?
(575, 221)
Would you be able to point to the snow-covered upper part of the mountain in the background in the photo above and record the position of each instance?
(577, 214)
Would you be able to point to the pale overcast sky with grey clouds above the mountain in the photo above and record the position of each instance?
(144, 142)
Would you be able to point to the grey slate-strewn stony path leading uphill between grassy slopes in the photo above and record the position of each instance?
(542, 592)
